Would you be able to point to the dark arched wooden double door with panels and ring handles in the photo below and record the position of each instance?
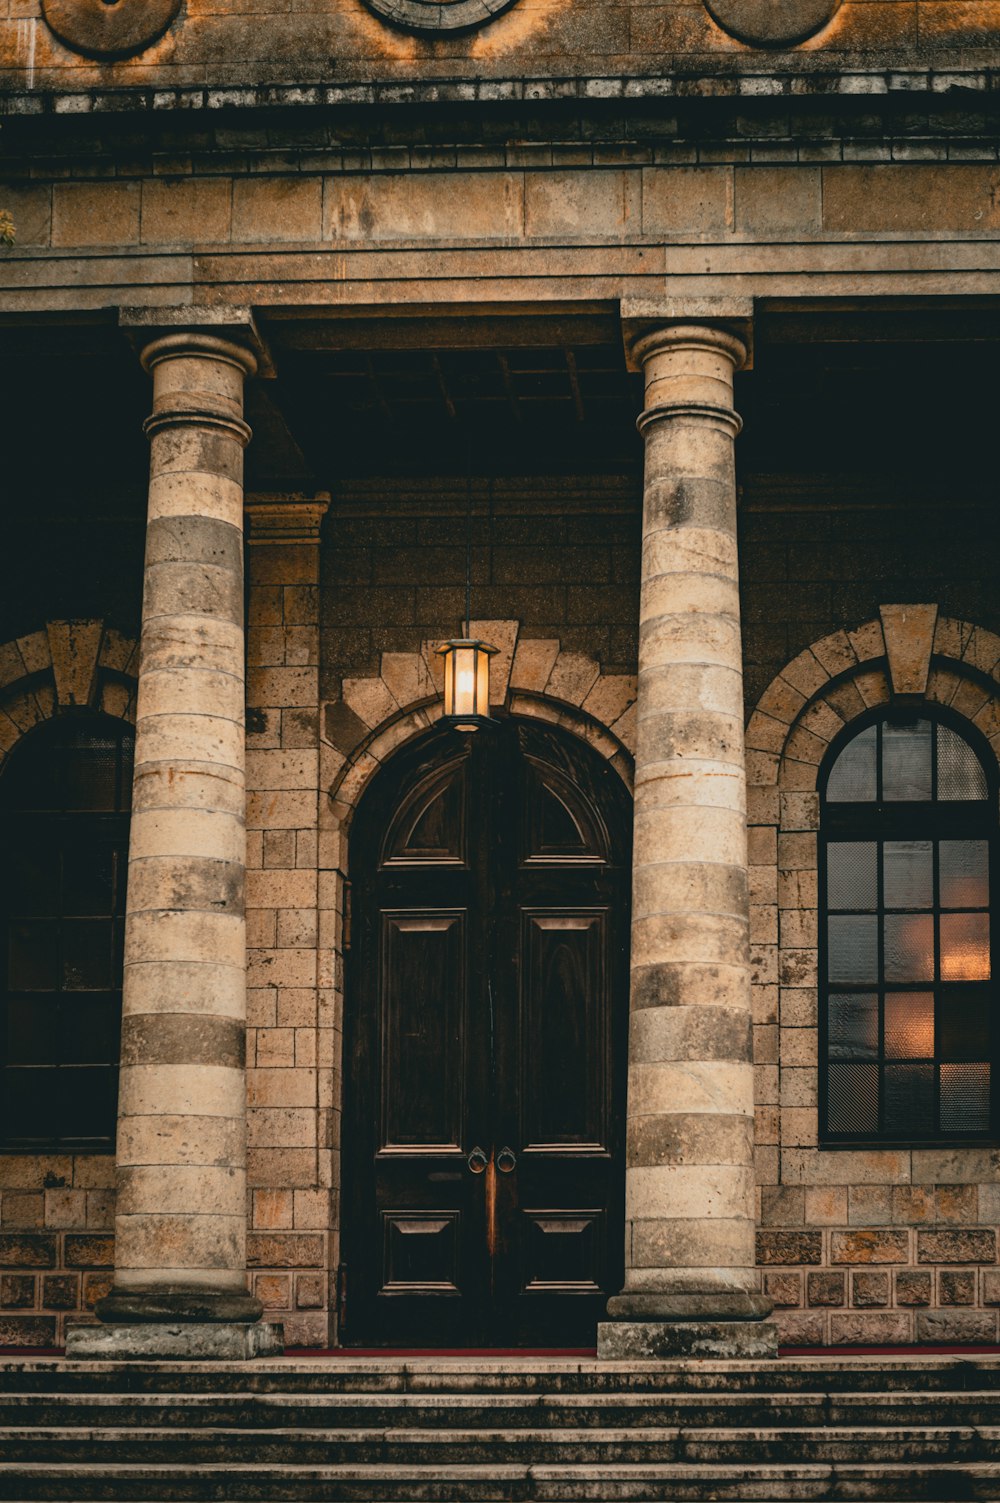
(486, 1042)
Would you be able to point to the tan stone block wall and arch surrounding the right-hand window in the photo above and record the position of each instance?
(858, 1247)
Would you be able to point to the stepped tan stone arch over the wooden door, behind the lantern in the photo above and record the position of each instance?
(529, 677)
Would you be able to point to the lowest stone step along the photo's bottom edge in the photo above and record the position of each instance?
(491, 1484)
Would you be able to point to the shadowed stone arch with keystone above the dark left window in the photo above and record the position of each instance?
(68, 665)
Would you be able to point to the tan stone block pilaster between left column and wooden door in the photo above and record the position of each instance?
(292, 1041)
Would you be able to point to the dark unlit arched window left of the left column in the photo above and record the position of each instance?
(65, 797)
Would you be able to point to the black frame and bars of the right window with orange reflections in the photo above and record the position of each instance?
(903, 820)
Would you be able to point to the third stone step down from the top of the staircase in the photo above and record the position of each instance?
(500, 1448)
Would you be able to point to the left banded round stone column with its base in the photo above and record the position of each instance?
(181, 1221)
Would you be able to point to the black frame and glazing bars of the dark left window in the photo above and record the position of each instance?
(62, 827)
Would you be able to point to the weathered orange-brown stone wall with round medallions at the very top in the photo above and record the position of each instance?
(258, 41)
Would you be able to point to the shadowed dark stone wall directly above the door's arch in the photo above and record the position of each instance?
(559, 557)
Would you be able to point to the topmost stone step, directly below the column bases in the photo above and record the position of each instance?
(515, 1376)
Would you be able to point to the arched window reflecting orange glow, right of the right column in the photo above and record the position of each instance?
(909, 1005)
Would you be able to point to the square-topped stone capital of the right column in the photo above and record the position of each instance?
(655, 325)
